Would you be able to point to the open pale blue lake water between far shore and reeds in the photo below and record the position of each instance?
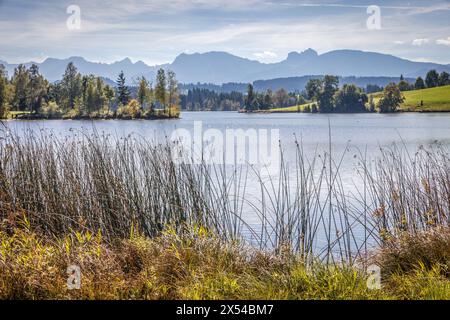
(350, 133)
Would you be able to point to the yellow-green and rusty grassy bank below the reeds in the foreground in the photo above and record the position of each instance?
(194, 264)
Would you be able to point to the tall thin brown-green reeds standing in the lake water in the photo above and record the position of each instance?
(117, 184)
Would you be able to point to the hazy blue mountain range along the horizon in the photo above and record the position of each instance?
(222, 67)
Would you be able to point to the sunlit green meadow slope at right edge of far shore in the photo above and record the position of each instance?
(434, 99)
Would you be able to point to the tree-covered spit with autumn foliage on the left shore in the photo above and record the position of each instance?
(28, 95)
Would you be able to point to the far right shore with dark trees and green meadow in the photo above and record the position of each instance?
(324, 95)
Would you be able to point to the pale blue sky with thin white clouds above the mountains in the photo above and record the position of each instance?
(156, 31)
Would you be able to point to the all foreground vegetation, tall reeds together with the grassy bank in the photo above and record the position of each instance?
(140, 225)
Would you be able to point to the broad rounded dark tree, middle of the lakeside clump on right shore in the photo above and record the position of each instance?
(350, 99)
